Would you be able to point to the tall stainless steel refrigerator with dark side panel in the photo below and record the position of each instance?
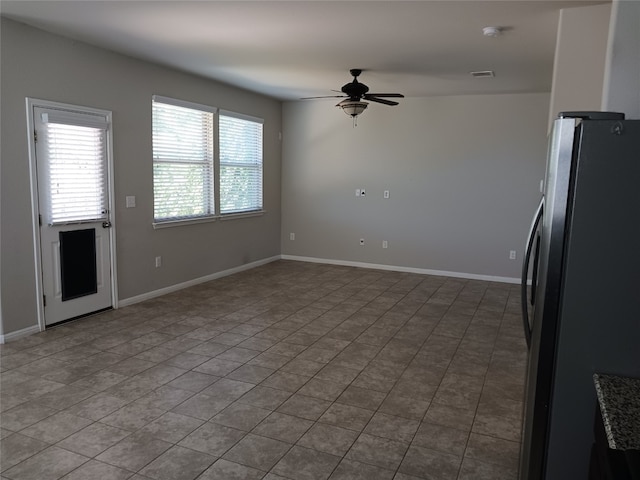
(581, 310)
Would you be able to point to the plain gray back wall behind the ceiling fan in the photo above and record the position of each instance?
(463, 174)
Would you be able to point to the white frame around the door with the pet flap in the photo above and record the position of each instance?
(35, 209)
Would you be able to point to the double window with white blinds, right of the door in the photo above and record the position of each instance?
(185, 164)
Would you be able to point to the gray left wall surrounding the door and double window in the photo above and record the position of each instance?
(44, 66)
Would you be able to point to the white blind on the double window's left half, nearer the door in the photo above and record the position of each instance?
(182, 160)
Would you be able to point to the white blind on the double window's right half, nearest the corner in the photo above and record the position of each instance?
(240, 144)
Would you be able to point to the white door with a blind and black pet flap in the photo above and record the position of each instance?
(73, 199)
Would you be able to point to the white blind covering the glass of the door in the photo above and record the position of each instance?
(76, 169)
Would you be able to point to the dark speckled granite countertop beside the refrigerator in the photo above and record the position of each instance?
(619, 399)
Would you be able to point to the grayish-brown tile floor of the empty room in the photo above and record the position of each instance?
(287, 371)
